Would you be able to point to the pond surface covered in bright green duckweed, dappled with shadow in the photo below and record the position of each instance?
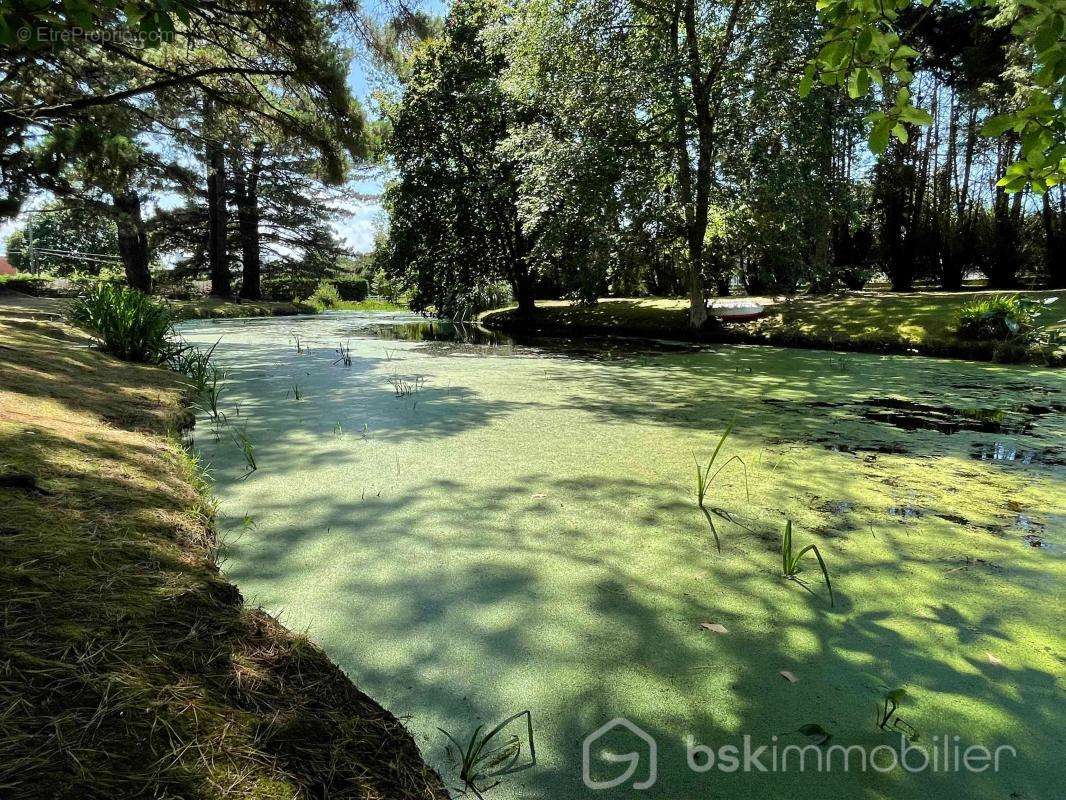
(473, 529)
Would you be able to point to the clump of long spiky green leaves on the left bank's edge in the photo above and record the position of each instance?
(132, 326)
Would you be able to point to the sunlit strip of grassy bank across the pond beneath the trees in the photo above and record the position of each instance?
(868, 322)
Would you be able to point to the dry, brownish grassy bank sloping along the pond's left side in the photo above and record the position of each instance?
(128, 665)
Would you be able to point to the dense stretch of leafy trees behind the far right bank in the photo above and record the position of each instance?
(625, 148)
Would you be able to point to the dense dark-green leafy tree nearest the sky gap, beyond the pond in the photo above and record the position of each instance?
(455, 225)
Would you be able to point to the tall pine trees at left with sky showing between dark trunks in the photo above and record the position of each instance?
(212, 133)
